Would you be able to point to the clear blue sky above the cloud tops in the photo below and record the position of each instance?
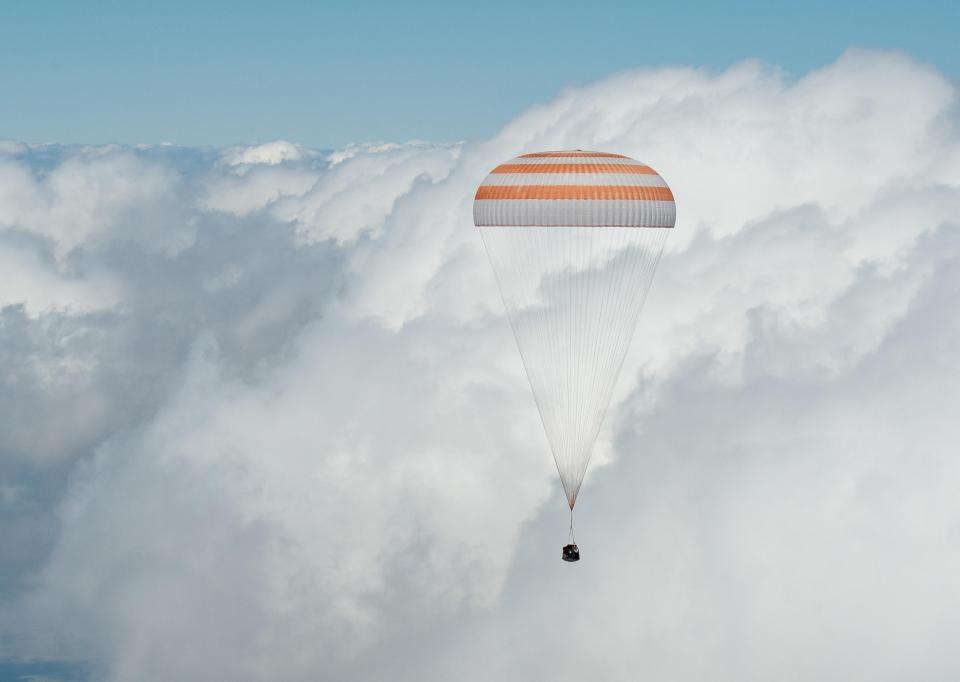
(325, 74)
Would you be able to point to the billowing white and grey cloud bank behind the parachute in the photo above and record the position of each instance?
(263, 418)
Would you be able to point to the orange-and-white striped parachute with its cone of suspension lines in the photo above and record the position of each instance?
(574, 239)
